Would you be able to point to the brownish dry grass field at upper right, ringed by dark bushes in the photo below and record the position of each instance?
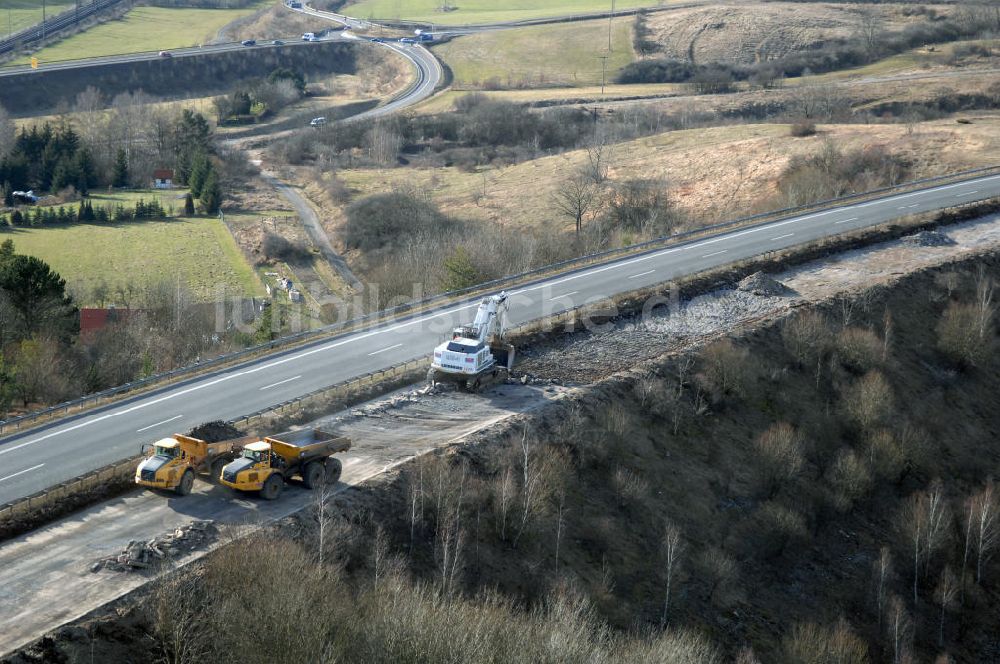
(762, 31)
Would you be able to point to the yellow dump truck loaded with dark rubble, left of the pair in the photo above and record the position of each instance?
(171, 463)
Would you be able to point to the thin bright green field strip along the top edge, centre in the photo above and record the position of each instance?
(483, 11)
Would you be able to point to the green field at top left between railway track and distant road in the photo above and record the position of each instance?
(145, 29)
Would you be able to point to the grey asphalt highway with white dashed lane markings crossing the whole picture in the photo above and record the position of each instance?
(72, 446)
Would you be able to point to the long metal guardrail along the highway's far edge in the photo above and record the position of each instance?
(523, 279)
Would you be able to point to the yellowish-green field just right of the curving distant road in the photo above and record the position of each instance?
(539, 56)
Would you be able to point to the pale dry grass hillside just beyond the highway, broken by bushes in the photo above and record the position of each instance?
(713, 172)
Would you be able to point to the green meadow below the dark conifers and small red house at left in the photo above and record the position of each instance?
(198, 252)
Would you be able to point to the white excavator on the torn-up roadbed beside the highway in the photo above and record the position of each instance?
(476, 353)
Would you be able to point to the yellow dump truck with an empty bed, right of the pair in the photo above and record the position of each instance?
(266, 465)
